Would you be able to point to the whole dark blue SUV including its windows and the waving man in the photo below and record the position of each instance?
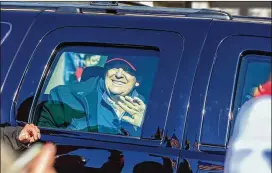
(130, 89)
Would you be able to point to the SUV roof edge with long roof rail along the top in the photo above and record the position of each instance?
(138, 9)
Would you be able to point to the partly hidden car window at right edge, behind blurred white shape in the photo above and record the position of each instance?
(254, 79)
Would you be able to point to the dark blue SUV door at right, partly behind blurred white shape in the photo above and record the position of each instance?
(232, 66)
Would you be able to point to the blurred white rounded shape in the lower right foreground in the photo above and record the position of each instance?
(251, 138)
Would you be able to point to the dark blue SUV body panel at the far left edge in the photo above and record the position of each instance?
(13, 32)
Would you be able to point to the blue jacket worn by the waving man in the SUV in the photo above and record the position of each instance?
(83, 106)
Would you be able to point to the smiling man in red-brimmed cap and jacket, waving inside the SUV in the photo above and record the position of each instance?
(107, 103)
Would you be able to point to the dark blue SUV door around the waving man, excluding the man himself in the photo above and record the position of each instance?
(64, 49)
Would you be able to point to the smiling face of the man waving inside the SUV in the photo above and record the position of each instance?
(119, 82)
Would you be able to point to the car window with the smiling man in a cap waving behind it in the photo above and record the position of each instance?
(98, 89)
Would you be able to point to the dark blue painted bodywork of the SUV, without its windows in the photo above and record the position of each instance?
(189, 122)
